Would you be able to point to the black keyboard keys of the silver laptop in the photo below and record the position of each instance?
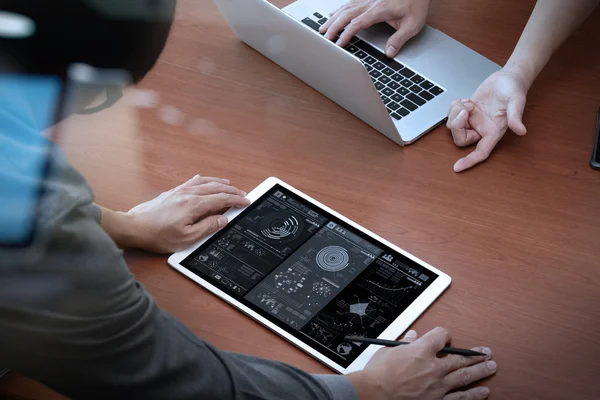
(402, 90)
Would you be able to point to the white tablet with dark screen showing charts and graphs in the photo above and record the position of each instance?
(312, 276)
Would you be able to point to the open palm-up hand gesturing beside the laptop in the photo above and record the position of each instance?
(498, 104)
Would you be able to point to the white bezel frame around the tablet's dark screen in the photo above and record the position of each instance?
(393, 331)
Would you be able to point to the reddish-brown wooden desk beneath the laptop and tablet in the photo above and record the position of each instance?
(520, 235)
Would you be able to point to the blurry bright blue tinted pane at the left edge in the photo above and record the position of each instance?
(27, 107)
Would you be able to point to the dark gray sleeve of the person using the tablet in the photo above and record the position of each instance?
(74, 318)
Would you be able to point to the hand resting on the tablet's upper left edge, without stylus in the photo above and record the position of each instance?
(180, 217)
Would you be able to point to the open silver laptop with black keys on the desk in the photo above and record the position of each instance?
(403, 98)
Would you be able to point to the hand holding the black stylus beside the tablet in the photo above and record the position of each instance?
(415, 371)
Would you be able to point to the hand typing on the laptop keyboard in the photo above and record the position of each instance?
(406, 16)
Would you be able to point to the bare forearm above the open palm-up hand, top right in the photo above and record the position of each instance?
(550, 24)
